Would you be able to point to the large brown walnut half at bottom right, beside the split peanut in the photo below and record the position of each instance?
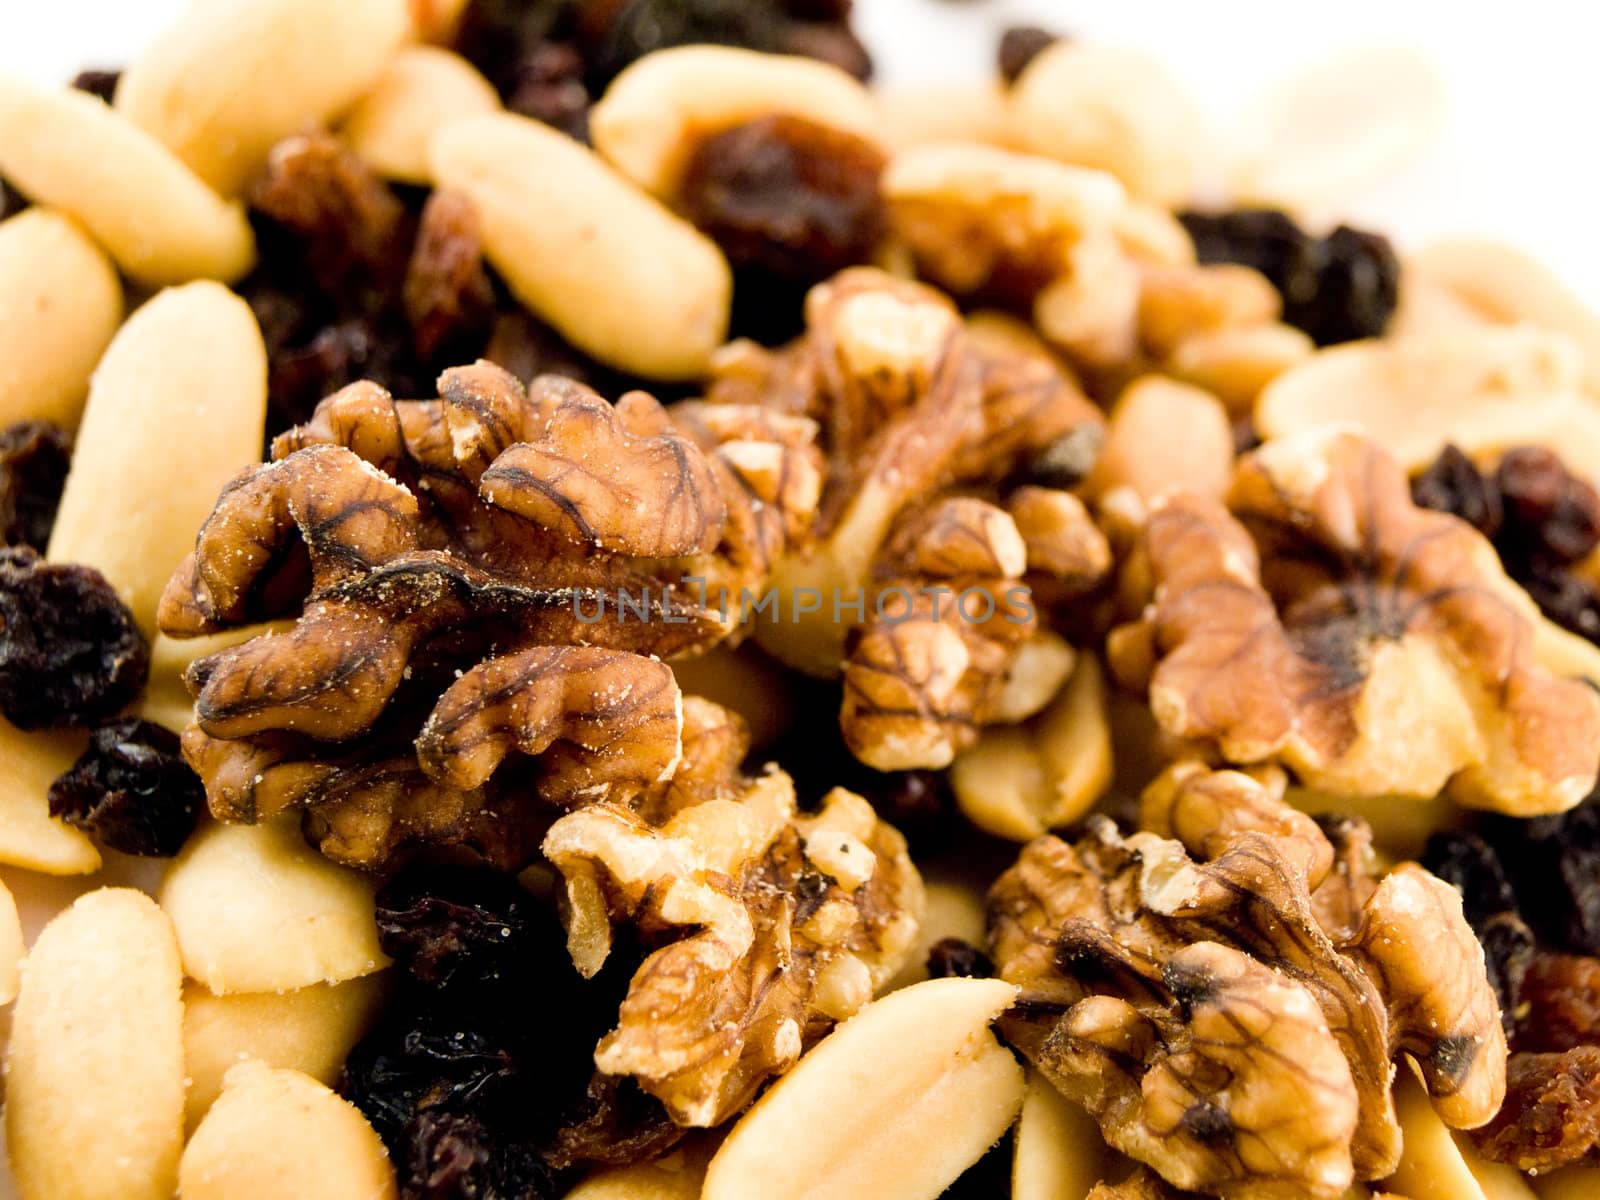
(1180, 985)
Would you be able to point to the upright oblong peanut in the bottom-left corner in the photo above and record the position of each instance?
(95, 1073)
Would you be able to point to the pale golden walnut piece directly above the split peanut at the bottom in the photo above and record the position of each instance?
(775, 924)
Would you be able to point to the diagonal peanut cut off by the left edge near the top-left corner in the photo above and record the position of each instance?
(151, 214)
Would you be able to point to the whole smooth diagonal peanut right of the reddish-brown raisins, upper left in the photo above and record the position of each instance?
(612, 270)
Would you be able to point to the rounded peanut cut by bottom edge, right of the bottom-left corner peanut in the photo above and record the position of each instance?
(279, 1135)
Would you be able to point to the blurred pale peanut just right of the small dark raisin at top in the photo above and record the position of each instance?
(1114, 110)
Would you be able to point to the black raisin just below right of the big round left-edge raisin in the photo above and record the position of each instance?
(132, 791)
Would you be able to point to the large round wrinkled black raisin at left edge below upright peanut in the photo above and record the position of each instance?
(71, 654)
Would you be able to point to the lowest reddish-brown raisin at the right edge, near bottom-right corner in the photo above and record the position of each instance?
(1553, 1111)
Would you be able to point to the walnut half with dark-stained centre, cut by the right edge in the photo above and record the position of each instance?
(1324, 622)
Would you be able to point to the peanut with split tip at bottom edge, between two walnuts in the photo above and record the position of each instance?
(894, 1105)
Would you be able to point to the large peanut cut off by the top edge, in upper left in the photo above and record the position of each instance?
(231, 79)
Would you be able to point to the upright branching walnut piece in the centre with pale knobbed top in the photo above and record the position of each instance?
(924, 418)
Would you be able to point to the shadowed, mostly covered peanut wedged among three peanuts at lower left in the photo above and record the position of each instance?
(310, 1030)
